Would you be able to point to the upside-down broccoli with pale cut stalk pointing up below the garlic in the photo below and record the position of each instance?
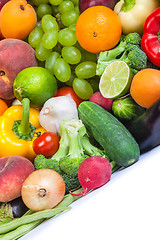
(74, 148)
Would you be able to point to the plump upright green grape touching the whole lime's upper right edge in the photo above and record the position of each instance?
(62, 70)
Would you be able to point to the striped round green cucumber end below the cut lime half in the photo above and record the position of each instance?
(126, 109)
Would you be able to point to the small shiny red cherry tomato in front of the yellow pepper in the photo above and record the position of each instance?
(47, 144)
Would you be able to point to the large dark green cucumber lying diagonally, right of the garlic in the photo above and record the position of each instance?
(110, 133)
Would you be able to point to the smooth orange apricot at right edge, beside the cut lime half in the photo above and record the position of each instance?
(145, 87)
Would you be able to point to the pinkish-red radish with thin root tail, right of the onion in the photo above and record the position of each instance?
(93, 172)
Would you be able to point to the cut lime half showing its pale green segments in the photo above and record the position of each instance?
(115, 80)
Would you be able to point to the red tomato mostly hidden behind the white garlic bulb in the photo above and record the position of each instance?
(68, 91)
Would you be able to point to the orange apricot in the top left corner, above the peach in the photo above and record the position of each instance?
(17, 19)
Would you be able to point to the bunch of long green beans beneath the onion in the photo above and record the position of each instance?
(20, 226)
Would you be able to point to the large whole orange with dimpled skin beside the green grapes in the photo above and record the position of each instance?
(98, 29)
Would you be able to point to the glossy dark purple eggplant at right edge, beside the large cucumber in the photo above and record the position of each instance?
(146, 128)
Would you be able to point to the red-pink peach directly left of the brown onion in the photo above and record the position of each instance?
(13, 171)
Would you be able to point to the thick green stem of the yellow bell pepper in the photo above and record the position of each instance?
(23, 128)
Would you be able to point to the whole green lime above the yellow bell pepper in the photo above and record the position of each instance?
(36, 83)
